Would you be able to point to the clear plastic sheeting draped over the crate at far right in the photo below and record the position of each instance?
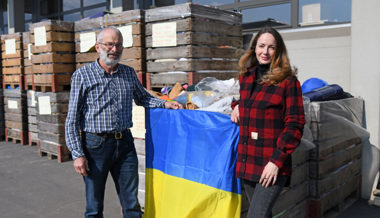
(336, 125)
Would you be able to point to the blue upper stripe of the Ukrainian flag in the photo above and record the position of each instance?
(195, 145)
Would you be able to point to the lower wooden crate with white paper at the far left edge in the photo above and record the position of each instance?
(16, 116)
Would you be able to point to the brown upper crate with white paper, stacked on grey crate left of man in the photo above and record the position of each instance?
(53, 59)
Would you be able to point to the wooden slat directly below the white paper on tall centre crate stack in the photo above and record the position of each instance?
(190, 51)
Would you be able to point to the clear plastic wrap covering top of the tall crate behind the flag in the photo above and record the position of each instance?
(188, 9)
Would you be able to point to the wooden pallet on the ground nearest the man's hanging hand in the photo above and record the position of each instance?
(53, 151)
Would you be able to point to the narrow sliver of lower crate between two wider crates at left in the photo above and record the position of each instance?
(32, 118)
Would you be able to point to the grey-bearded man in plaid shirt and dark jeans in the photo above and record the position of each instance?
(98, 122)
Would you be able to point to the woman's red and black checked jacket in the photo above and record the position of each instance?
(271, 125)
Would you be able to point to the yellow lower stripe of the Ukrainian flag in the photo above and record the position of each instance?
(172, 197)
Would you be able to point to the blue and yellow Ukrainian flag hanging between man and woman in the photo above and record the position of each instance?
(190, 165)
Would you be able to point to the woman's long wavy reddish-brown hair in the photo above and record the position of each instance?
(280, 65)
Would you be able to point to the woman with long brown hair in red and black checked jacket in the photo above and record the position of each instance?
(271, 119)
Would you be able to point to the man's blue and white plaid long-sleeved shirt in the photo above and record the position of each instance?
(101, 102)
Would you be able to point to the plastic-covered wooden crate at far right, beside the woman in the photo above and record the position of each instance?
(335, 165)
